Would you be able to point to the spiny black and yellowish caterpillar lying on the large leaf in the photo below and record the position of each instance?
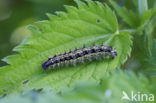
(80, 55)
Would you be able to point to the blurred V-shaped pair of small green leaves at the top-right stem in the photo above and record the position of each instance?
(133, 18)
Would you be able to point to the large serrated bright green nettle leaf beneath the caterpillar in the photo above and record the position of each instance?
(91, 22)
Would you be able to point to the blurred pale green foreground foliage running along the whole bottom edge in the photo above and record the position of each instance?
(109, 91)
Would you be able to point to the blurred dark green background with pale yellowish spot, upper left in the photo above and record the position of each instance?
(15, 15)
